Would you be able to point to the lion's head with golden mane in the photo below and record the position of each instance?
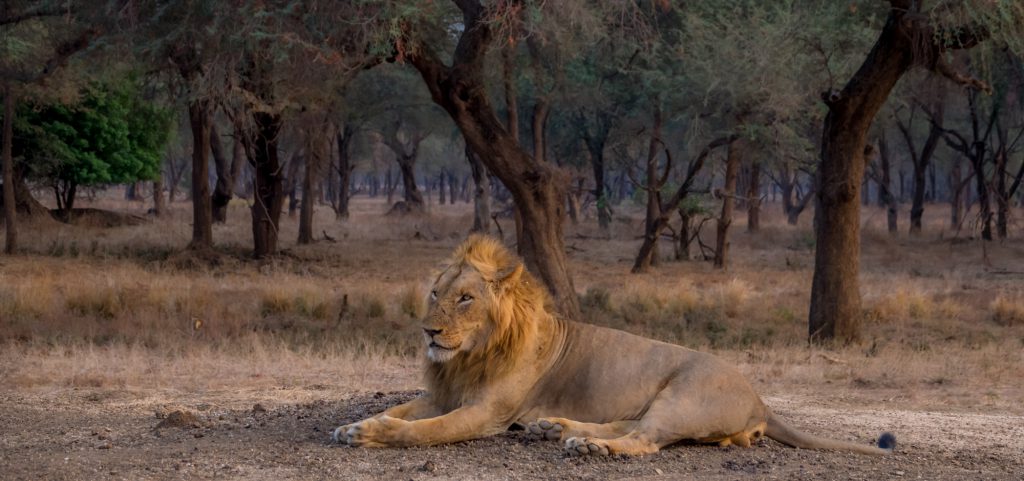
(484, 309)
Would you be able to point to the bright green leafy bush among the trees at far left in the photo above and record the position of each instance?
(110, 136)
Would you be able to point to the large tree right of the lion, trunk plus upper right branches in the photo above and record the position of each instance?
(912, 36)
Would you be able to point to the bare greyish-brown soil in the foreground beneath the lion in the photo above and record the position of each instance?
(284, 434)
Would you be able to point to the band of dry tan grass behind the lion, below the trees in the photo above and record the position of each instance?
(114, 308)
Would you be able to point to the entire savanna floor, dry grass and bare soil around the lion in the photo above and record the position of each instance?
(104, 373)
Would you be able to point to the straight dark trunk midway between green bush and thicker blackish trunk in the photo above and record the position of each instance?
(199, 120)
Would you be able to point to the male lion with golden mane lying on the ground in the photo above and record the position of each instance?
(498, 359)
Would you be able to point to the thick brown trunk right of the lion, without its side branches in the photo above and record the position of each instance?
(835, 311)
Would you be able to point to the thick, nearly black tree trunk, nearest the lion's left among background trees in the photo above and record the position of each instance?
(268, 187)
